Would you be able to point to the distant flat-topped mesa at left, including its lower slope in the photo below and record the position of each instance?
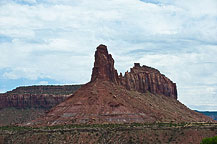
(24, 104)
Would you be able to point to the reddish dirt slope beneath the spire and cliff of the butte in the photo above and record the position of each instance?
(106, 102)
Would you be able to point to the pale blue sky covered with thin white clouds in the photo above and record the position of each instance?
(44, 42)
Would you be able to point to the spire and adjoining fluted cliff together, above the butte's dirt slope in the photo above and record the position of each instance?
(140, 78)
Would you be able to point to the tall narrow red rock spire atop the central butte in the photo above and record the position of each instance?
(104, 66)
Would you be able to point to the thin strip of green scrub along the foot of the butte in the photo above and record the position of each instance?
(110, 126)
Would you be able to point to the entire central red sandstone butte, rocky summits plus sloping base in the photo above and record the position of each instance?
(142, 95)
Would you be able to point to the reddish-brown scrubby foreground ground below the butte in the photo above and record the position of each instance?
(109, 133)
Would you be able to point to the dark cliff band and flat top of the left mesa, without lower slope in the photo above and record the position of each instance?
(44, 97)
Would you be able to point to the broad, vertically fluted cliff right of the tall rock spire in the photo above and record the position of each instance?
(146, 79)
